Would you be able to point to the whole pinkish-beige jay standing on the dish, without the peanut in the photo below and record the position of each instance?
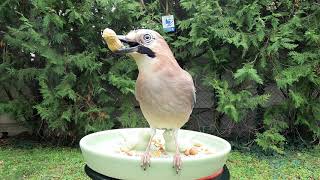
(165, 92)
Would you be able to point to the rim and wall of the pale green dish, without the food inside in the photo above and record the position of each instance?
(98, 152)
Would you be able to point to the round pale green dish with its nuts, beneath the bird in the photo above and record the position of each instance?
(116, 153)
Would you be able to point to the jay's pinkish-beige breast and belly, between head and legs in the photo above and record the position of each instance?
(164, 100)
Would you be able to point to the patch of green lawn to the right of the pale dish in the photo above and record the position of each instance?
(303, 164)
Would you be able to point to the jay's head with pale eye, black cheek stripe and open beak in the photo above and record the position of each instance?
(145, 46)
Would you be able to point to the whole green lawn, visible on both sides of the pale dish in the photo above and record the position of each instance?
(38, 162)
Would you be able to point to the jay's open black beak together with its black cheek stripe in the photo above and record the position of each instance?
(132, 46)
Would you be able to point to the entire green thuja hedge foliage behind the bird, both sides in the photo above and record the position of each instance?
(59, 76)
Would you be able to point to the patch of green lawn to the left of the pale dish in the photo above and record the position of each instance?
(41, 163)
